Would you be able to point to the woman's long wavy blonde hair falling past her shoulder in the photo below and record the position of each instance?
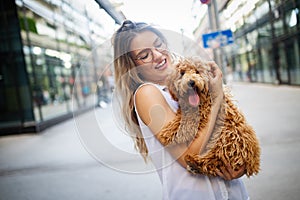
(127, 79)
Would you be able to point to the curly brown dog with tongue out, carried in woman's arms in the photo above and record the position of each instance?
(232, 141)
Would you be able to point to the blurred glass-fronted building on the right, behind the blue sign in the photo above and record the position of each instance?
(267, 44)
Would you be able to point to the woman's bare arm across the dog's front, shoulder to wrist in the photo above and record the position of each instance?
(156, 113)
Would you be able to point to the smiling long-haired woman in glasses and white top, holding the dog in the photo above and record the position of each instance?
(142, 63)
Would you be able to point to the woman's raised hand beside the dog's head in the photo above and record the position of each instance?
(215, 81)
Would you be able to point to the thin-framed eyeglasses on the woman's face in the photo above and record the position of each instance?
(147, 55)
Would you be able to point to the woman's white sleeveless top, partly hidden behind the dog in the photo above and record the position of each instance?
(177, 183)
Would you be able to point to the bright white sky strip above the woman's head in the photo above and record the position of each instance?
(169, 14)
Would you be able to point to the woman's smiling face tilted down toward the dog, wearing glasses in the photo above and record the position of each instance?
(151, 57)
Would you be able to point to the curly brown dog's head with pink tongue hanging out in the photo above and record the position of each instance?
(189, 81)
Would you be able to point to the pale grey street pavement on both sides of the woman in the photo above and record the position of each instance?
(90, 158)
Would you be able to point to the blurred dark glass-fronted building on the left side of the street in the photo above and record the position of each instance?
(43, 46)
